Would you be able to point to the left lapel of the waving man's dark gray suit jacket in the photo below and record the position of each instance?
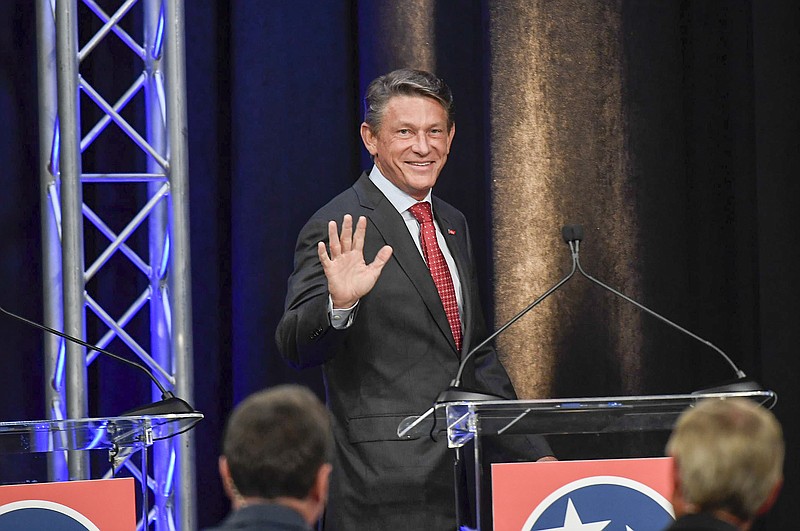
(389, 223)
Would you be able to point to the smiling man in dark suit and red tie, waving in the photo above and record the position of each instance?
(389, 334)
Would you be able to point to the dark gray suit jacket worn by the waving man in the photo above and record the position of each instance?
(391, 363)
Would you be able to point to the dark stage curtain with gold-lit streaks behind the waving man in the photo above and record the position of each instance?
(709, 116)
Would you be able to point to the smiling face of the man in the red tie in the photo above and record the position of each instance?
(412, 144)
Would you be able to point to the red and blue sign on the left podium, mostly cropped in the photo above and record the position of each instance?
(104, 504)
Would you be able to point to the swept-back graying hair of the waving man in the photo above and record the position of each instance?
(404, 82)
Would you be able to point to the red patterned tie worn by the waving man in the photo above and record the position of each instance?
(439, 270)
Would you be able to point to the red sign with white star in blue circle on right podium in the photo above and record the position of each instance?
(608, 495)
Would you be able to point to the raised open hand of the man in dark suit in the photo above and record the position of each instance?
(349, 276)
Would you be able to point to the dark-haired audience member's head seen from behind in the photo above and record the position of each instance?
(277, 449)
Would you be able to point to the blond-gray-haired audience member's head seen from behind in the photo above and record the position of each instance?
(728, 460)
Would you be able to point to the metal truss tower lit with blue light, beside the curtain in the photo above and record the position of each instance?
(157, 179)
